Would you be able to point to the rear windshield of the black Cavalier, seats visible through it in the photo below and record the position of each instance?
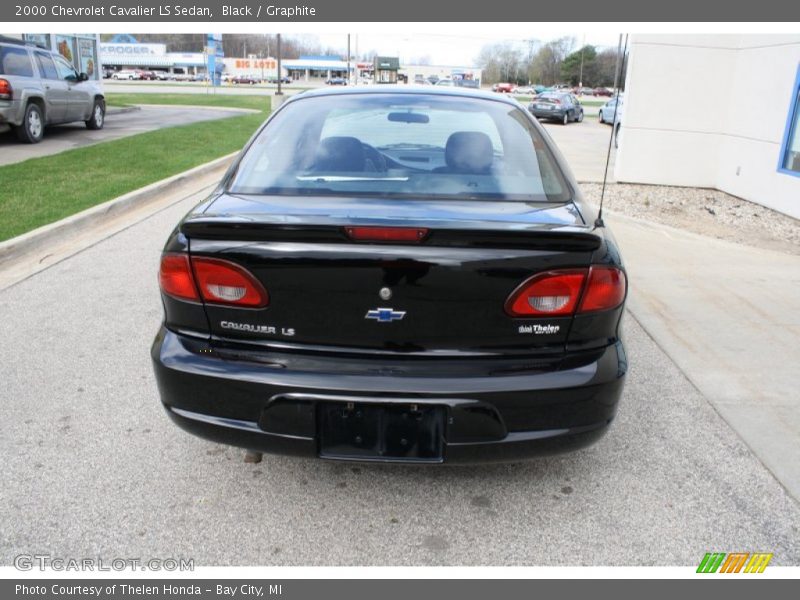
(402, 145)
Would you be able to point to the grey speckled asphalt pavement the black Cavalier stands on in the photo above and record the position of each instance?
(93, 467)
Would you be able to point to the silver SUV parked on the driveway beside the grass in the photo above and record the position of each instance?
(40, 88)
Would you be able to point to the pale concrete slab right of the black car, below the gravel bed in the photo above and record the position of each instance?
(729, 316)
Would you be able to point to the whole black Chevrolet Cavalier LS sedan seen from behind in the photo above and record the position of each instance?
(394, 274)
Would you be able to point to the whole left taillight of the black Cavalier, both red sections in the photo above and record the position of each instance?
(216, 281)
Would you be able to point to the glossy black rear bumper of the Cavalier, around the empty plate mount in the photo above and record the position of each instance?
(275, 406)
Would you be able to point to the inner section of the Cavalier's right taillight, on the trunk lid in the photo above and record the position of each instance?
(550, 294)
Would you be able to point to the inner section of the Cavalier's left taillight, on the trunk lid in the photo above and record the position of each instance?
(223, 282)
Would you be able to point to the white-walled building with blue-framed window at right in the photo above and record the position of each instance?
(715, 111)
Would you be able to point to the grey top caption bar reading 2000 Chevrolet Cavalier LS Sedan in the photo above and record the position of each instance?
(206, 11)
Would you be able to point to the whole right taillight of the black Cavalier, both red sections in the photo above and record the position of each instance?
(568, 291)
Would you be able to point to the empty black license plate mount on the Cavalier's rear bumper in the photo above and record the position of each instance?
(381, 432)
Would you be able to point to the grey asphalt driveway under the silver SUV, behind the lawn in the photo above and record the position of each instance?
(118, 125)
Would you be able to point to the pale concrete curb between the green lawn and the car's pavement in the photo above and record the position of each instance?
(73, 225)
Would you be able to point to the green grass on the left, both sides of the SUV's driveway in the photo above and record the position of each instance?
(43, 190)
